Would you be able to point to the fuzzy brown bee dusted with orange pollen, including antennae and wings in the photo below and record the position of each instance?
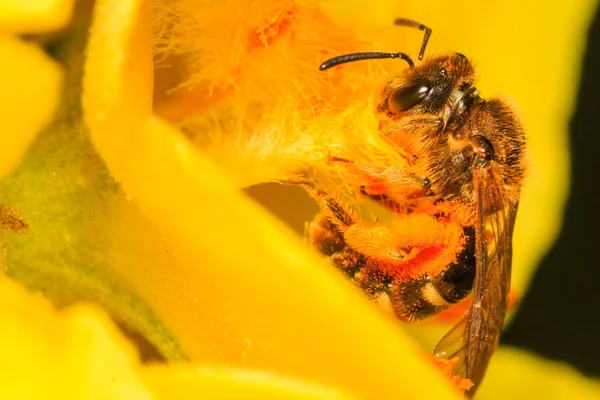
(451, 236)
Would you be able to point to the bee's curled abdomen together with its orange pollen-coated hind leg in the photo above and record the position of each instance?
(422, 263)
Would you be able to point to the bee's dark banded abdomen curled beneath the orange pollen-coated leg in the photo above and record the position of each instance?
(411, 299)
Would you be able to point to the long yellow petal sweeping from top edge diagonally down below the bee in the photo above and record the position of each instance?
(244, 290)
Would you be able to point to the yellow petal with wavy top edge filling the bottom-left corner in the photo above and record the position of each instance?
(72, 354)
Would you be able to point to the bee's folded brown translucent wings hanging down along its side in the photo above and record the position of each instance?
(476, 336)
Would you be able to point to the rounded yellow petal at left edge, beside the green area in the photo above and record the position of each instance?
(30, 84)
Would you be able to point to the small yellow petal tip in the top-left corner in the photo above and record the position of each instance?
(34, 16)
